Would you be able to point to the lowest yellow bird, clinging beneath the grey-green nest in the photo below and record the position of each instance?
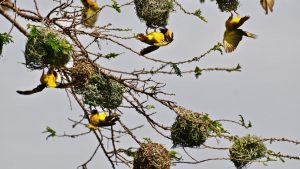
(101, 119)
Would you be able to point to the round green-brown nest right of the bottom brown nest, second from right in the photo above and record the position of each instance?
(189, 129)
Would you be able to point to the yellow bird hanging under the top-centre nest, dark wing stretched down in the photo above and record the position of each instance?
(155, 39)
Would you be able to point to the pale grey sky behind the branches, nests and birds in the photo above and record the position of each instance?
(267, 91)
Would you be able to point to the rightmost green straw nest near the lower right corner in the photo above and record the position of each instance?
(246, 149)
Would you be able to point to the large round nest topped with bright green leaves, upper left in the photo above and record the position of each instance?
(45, 46)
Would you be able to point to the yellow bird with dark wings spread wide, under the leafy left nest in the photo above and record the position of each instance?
(47, 80)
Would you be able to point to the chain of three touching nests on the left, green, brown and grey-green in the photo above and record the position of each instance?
(47, 48)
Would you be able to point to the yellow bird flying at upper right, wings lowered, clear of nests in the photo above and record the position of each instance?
(233, 35)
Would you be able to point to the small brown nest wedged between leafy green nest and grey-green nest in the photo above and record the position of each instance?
(82, 71)
